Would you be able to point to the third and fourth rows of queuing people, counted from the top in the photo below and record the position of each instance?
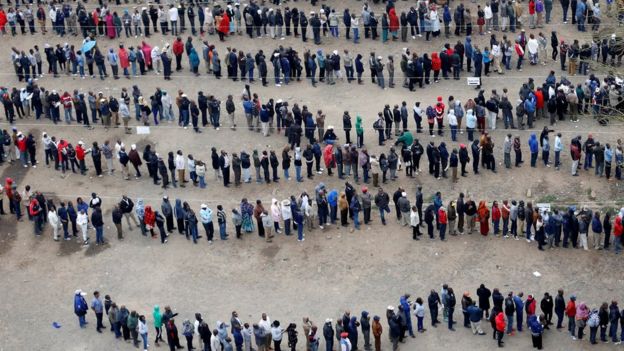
(552, 102)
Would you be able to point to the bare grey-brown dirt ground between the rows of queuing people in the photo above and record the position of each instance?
(334, 269)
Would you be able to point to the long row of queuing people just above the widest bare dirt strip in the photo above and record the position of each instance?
(548, 227)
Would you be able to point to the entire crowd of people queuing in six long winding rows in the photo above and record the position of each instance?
(519, 35)
